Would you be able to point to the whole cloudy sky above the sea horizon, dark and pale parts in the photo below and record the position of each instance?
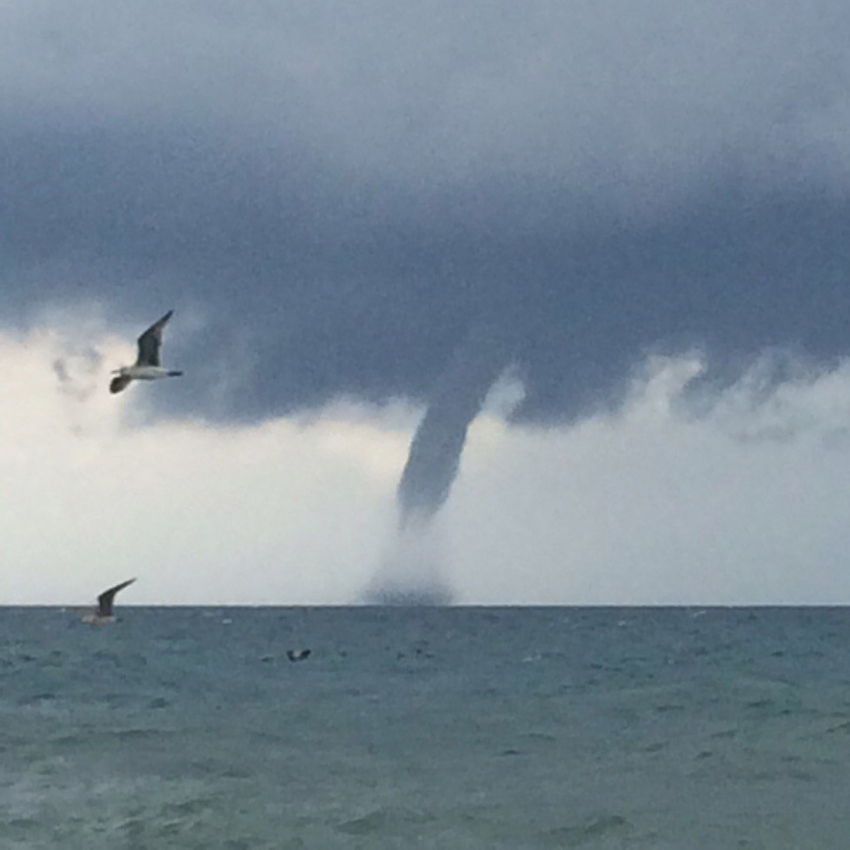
(642, 212)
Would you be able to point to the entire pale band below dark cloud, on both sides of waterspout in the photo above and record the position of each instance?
(747, 502)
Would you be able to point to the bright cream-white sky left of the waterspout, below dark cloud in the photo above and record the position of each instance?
(279, 512)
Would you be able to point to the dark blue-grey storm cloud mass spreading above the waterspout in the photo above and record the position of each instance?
(339, 193)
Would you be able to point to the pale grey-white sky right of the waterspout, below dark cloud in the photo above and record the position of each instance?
(747, 503)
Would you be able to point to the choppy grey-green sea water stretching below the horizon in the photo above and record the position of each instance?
(426, 728)
